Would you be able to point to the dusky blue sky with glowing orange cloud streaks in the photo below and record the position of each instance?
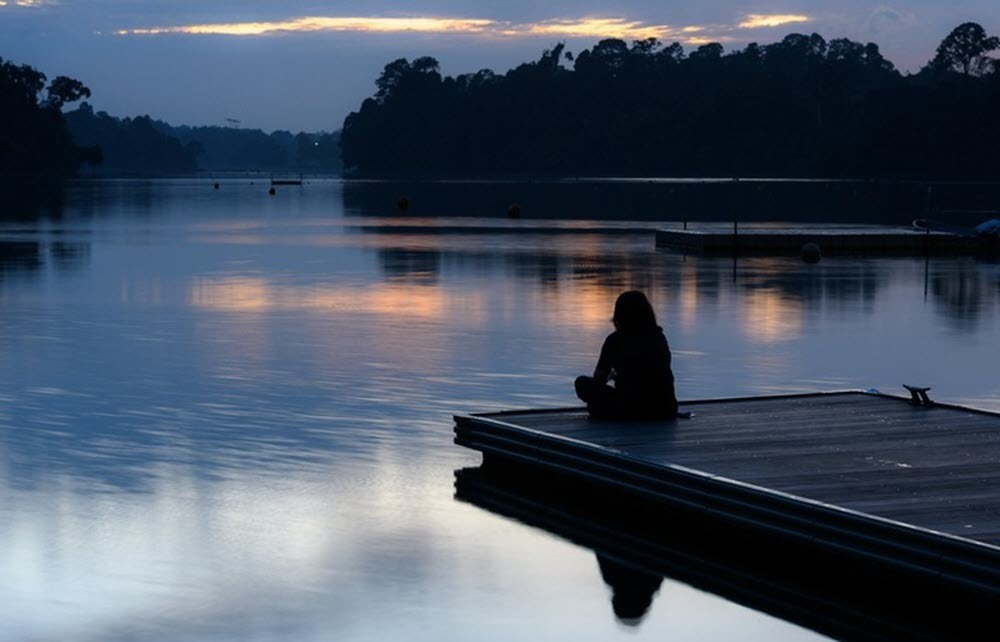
(302, 65)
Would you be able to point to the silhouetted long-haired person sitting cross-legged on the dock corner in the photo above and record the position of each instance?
(636, 357)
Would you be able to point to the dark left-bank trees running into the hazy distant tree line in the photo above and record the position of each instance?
(42, 141)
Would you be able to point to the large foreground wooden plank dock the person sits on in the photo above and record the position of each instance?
(879, 485)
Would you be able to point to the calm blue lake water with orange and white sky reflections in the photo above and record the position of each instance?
(227, 416)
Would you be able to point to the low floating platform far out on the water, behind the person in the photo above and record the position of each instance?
(840, 240)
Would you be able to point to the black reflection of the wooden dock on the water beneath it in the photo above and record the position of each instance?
(803, 589)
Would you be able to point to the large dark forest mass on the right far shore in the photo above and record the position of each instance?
(799, 107)
